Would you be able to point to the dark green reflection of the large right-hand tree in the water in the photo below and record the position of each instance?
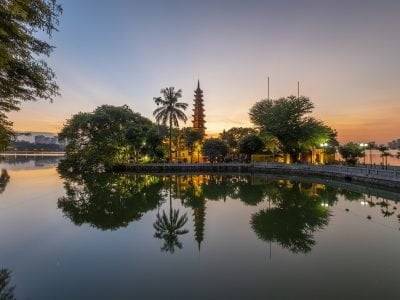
(296, 215)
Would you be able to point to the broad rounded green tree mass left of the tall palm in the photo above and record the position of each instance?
(108, 136)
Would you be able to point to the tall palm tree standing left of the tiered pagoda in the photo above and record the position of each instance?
(170, 111)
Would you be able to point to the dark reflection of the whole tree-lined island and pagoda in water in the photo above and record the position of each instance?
(288, 212)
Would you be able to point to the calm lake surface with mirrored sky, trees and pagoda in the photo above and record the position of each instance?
(193, 237)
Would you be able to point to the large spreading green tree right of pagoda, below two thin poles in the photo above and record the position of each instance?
(287, 119)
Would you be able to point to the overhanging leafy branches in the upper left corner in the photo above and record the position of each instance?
(24, 75)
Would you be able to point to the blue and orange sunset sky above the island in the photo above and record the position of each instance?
(345, 53)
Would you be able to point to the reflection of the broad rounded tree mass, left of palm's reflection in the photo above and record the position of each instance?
(109, 201)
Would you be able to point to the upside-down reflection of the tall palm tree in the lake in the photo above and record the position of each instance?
(169, 228)
